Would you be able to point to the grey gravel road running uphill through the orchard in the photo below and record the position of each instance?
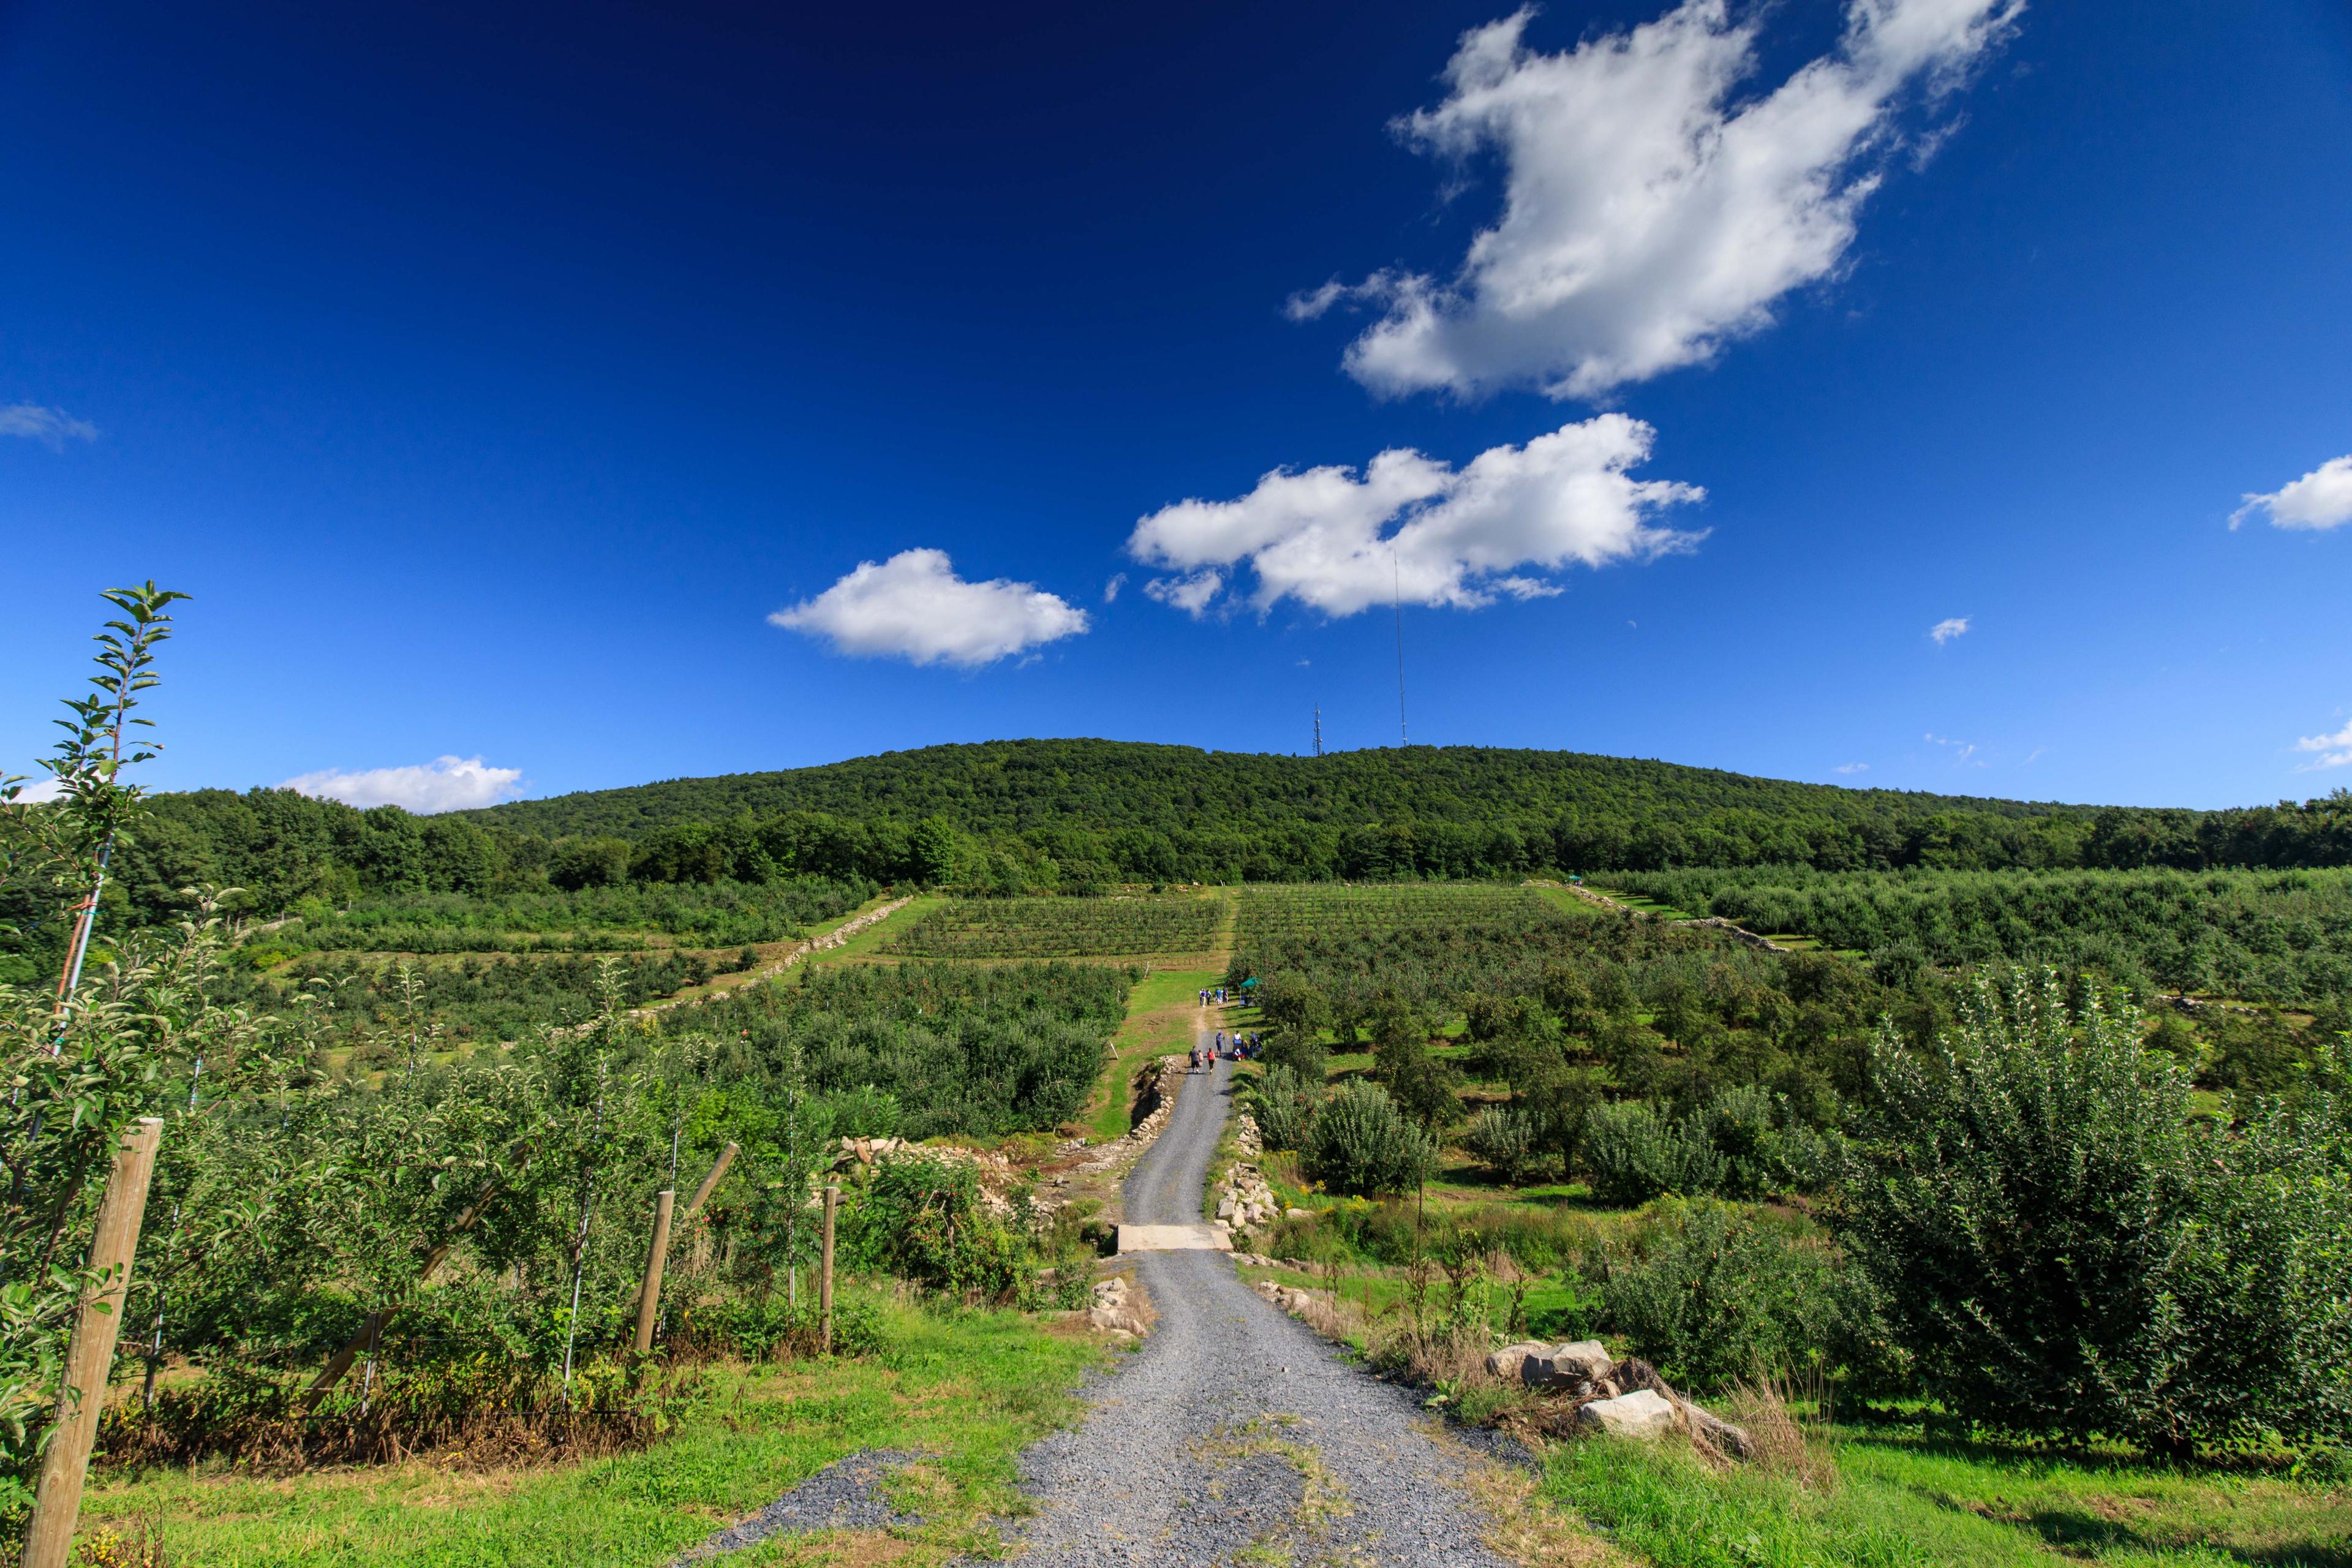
(1238, 1426)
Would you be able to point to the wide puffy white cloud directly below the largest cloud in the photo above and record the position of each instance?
(1323, 537)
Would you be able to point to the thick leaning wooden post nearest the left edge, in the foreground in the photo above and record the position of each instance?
(91, 1358)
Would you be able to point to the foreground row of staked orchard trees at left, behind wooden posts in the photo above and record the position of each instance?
(295, 1212)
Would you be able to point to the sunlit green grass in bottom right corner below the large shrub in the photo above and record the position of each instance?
(1899, 1503)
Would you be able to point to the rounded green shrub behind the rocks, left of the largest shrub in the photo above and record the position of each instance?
(1720, 1296)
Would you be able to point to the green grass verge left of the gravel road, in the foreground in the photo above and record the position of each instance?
(968, 1391)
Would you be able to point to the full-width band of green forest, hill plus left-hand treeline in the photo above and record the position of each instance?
(1020, 817)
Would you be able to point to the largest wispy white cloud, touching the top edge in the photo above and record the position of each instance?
(1650, 208)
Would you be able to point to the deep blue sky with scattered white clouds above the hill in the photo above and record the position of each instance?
(497, 377)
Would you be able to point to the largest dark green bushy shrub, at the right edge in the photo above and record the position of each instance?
(2064, 1249)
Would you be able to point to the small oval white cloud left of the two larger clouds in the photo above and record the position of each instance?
(916, 608)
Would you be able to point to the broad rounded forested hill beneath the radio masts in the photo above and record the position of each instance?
(1114, 810)
